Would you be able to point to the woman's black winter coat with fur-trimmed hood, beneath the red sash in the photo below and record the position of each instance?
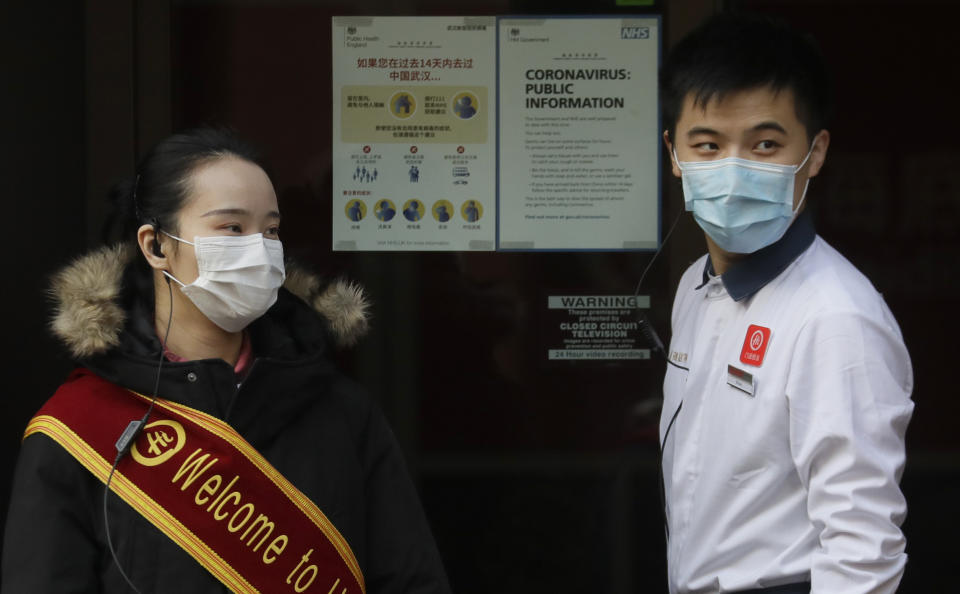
(311, 423)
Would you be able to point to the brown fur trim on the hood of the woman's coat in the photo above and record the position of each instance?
(89, 317)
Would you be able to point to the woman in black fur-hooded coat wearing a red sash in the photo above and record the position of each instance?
(258, 467)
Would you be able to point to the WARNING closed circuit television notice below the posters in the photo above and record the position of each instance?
(596, 327)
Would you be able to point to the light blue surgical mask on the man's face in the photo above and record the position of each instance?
(743, 205)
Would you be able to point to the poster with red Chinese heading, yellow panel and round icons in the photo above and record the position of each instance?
(414, 139)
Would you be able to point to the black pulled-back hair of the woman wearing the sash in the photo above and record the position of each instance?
(160, 187)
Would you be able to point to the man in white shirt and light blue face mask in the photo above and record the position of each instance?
(787, 393)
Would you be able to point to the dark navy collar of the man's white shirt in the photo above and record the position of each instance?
(749, 275)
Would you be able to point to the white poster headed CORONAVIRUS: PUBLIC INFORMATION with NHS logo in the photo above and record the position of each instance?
(579, 150)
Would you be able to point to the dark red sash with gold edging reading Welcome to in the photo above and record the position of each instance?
(197, 480)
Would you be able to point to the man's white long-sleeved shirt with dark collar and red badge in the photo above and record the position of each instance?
(785, 444)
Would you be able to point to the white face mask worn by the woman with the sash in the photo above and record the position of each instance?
(239, 276)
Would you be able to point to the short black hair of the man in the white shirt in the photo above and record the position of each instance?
(735, 52)
